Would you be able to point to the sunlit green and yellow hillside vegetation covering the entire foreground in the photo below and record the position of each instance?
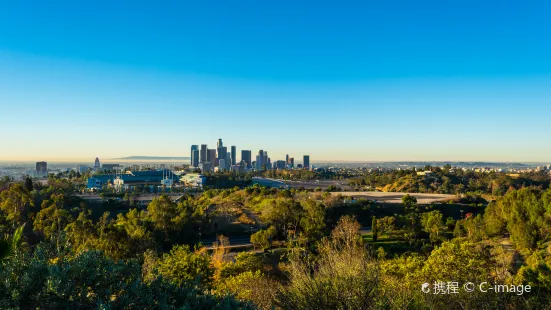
(315, 250)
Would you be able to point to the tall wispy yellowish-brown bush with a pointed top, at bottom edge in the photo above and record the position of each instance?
(342, 277)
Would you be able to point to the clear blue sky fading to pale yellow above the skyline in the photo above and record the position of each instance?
(363, 80)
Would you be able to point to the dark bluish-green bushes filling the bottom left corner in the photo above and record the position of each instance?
(51, 280)
